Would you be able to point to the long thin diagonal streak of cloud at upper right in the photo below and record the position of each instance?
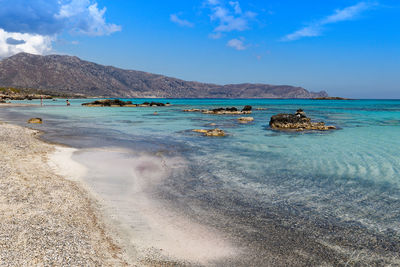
(339, 15)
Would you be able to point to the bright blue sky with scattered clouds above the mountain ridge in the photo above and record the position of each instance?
(348, 48)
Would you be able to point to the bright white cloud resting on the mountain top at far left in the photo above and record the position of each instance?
(32, 43)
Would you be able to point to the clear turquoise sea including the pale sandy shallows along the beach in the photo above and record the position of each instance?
(256, 197)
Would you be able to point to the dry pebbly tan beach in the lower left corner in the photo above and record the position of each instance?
(45, 219)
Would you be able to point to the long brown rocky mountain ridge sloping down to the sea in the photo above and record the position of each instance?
(71, 75)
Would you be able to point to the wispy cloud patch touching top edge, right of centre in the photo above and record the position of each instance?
(229, 17)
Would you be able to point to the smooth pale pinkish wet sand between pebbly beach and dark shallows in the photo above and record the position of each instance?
(126, 182)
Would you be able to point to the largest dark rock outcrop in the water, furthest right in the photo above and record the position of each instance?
(298, 121)
